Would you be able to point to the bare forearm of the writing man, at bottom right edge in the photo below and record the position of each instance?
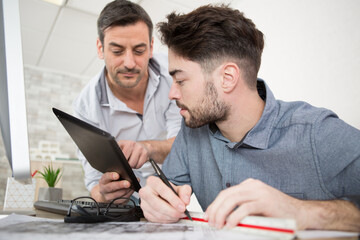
(332, 215)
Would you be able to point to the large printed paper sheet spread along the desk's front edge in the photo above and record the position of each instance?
(29, 228)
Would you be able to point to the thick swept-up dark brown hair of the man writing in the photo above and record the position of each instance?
(212, 34)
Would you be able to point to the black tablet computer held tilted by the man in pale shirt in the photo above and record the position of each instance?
(99, 147)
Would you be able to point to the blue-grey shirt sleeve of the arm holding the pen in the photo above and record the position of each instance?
(176, 167)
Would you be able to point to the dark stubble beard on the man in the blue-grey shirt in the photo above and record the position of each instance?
(209, 108)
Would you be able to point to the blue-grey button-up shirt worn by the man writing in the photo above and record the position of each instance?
(305, 152)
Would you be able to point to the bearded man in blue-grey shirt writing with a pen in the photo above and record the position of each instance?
(241, 151)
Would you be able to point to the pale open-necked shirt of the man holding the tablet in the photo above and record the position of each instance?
(161, 119)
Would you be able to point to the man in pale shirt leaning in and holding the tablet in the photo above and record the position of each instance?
(128, 98)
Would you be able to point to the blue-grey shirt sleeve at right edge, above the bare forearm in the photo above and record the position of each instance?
(337, 146)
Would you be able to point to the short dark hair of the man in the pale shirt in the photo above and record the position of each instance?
(122, 13)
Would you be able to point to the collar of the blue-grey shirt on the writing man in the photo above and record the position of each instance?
(259, 135)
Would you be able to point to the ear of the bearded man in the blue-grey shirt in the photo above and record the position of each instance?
(230, 76)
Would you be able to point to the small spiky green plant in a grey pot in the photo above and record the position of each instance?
(51, 177)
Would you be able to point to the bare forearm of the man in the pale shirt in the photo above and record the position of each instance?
(159, 149)
